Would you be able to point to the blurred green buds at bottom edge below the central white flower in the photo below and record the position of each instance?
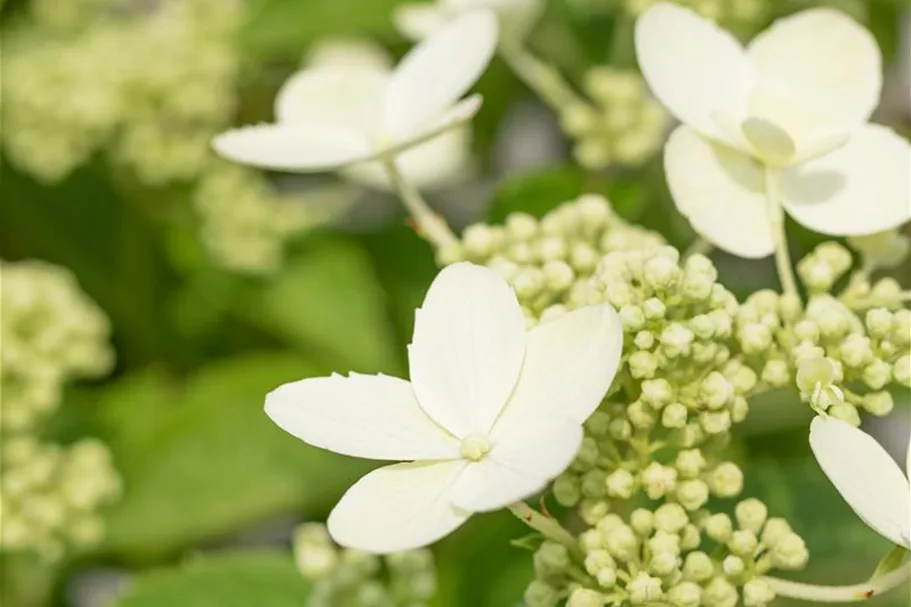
(351, 578)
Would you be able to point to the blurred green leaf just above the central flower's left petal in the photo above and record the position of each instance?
(328, 302)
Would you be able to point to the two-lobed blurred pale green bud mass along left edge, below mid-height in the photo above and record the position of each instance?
(51, 333)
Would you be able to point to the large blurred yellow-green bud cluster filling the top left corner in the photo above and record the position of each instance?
(75, 87)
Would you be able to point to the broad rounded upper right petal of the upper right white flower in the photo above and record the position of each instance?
(827, 61)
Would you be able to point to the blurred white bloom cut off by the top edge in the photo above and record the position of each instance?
(419, 20)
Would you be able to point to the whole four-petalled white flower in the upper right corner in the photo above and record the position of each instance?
(795, 102)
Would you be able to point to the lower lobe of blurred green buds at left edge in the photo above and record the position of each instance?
(50, 495)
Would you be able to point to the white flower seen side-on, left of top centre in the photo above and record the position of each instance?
(338, 115)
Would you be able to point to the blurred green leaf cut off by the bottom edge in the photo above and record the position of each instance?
(263, 579)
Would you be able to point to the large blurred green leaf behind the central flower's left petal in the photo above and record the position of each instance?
(200, 459)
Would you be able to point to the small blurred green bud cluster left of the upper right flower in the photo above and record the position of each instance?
(621, 124)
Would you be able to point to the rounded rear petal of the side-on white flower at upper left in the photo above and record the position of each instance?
(345, 93)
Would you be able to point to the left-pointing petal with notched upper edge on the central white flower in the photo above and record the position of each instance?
(371, 416)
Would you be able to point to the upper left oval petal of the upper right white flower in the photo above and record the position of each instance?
(695, 69)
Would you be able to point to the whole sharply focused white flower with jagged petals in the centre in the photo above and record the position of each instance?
(491, 414)
